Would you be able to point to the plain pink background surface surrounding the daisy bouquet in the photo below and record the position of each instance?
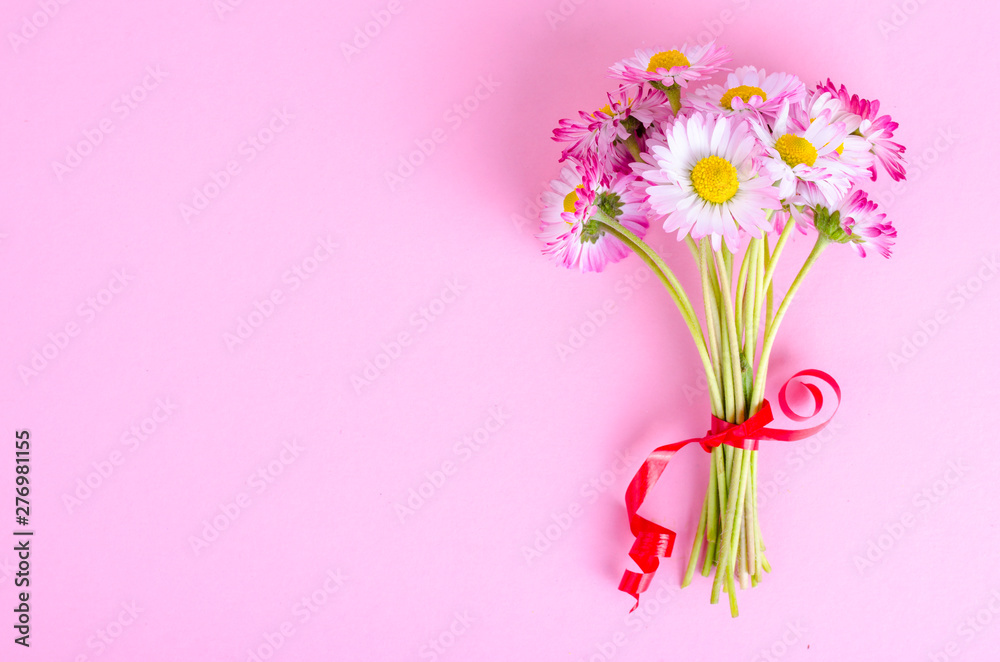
(101, 260)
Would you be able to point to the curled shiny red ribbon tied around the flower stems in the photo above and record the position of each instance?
(652, 540)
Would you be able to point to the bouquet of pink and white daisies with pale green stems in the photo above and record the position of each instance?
(734, 169)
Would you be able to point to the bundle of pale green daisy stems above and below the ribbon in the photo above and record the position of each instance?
(741, 322)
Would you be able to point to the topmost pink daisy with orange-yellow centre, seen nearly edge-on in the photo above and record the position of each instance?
(674, 67)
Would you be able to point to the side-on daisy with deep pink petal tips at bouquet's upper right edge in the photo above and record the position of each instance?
(862, 118)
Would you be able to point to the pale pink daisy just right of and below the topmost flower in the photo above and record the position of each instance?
(749, 89)
